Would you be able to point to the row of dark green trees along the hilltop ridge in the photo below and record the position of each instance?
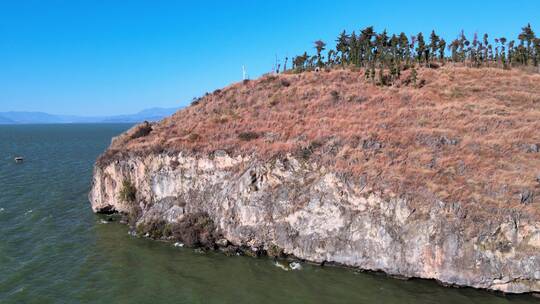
(391, 54)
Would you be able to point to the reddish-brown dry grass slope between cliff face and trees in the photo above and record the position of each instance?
(464, 136)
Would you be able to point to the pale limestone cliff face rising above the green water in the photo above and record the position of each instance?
(319, 216)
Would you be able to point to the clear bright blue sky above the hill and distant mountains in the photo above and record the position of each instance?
(111, 57)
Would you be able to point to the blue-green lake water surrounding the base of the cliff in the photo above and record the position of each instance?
(53, 249)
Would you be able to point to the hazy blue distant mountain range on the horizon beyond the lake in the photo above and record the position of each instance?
(152, 114)
